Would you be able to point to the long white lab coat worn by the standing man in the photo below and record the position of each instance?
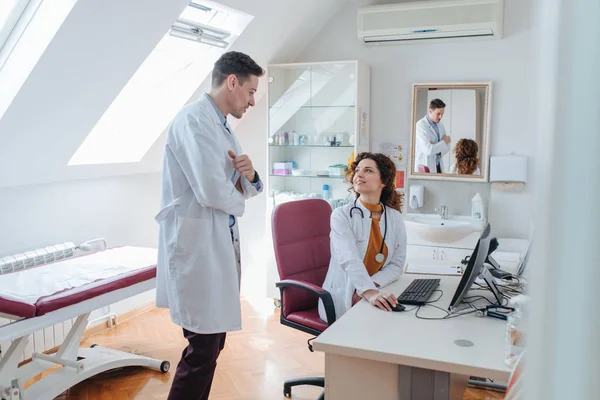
(198, 274)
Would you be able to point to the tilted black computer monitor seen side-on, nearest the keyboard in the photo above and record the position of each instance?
(475, 268)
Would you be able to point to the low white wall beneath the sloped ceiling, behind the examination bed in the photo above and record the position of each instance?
(120, 209)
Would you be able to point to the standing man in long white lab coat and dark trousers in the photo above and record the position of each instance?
(206, 180)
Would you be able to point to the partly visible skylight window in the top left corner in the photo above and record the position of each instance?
(26, 29)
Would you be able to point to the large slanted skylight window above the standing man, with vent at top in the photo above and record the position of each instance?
(162, 85)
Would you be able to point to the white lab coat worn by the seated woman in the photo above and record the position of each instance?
(348, 241)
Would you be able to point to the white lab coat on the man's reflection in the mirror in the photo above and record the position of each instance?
(425, 151)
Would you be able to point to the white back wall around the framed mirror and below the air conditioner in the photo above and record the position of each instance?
(395, 67)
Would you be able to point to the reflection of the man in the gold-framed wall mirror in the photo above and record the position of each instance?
(431, 142)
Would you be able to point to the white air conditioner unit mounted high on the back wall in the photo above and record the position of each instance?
(430, 21)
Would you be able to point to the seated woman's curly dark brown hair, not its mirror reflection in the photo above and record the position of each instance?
(387, 171)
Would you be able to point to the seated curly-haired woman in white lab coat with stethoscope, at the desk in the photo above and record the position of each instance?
(368, 238)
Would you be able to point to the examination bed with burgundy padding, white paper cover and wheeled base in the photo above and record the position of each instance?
(43, 295)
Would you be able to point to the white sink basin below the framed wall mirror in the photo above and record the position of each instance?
(432, 228)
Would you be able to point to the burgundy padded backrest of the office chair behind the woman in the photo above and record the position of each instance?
(301, 243)
